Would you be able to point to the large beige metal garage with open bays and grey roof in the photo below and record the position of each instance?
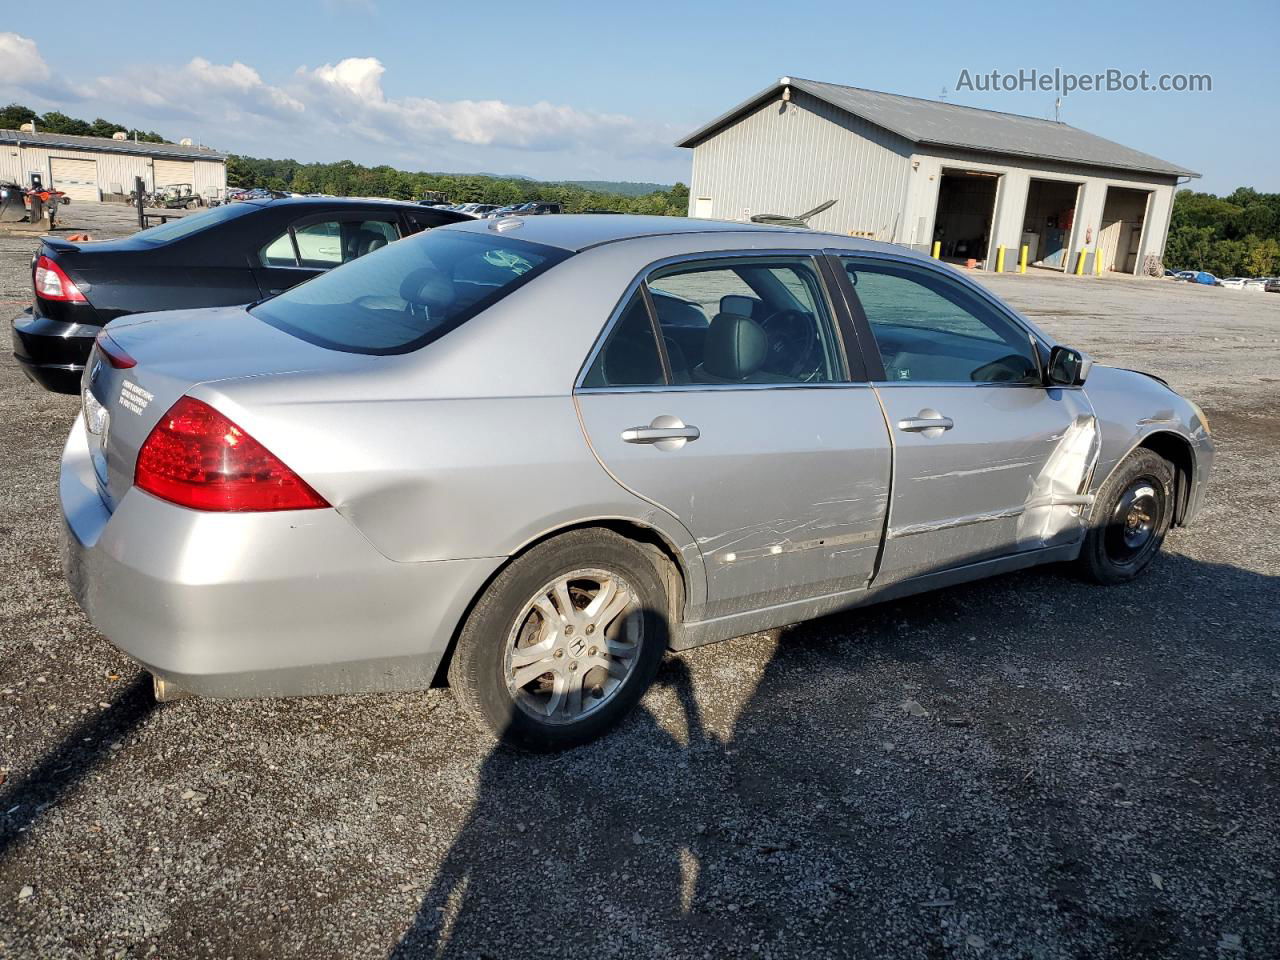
(915, 172)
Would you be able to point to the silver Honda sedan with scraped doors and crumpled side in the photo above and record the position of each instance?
(534, 455)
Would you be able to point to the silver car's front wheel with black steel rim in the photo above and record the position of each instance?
(1130, 520)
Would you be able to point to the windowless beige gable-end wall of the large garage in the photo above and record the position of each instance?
(788, 158)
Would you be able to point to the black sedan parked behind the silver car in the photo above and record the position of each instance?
(225, 257)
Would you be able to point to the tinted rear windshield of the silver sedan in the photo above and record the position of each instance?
(409, 294)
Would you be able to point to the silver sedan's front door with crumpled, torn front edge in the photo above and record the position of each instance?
(986, 460)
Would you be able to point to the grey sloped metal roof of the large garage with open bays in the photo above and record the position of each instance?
(936, 124)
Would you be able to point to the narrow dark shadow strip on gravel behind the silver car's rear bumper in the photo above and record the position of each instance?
(83, 749)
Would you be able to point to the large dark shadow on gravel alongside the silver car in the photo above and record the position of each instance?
(1000, 769)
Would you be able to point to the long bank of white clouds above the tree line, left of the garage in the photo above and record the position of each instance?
(341, 111)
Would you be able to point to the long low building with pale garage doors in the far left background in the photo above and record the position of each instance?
(92, 168)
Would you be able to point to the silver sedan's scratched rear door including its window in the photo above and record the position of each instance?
(755, 438)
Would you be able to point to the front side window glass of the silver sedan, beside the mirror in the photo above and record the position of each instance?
(931, 328)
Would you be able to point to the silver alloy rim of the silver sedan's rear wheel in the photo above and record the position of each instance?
(574, 644)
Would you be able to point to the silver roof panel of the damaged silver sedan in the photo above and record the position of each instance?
(578, 232)
